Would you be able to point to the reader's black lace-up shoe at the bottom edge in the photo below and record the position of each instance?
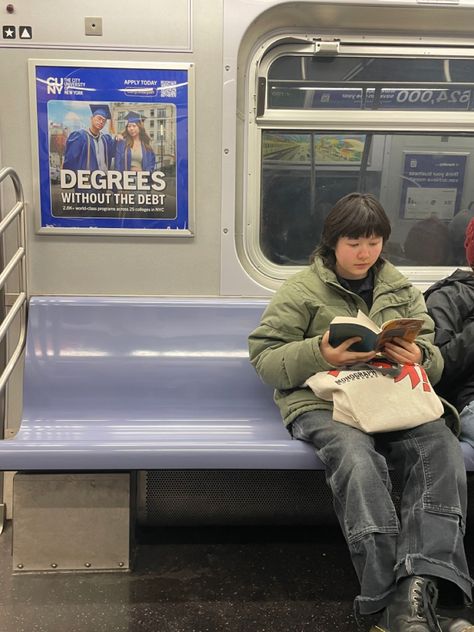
(412, 608)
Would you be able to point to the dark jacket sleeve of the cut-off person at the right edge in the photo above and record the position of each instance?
(456, 347)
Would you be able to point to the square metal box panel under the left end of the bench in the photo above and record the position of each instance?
(66, 522)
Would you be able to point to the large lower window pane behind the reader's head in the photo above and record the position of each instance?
(423, 181)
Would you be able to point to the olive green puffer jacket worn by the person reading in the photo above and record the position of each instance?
(284, 348)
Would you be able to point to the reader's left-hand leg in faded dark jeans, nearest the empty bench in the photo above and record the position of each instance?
(360, 483)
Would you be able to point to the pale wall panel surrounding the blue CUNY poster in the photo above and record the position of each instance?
(134, 265)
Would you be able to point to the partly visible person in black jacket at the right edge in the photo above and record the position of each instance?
(450, 303)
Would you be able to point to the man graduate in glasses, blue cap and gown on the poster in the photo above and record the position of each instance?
(91, 149)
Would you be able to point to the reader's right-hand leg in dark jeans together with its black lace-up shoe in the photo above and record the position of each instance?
(430, 554)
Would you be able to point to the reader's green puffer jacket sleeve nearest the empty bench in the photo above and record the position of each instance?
(278, 349)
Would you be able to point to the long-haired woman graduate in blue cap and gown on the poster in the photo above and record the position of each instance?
(134, 152)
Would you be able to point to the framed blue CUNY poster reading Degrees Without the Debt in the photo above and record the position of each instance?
(113, 147)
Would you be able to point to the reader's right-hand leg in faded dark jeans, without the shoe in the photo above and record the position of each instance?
(433, 507)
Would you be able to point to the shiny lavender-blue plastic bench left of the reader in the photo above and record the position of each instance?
(146, 383)
